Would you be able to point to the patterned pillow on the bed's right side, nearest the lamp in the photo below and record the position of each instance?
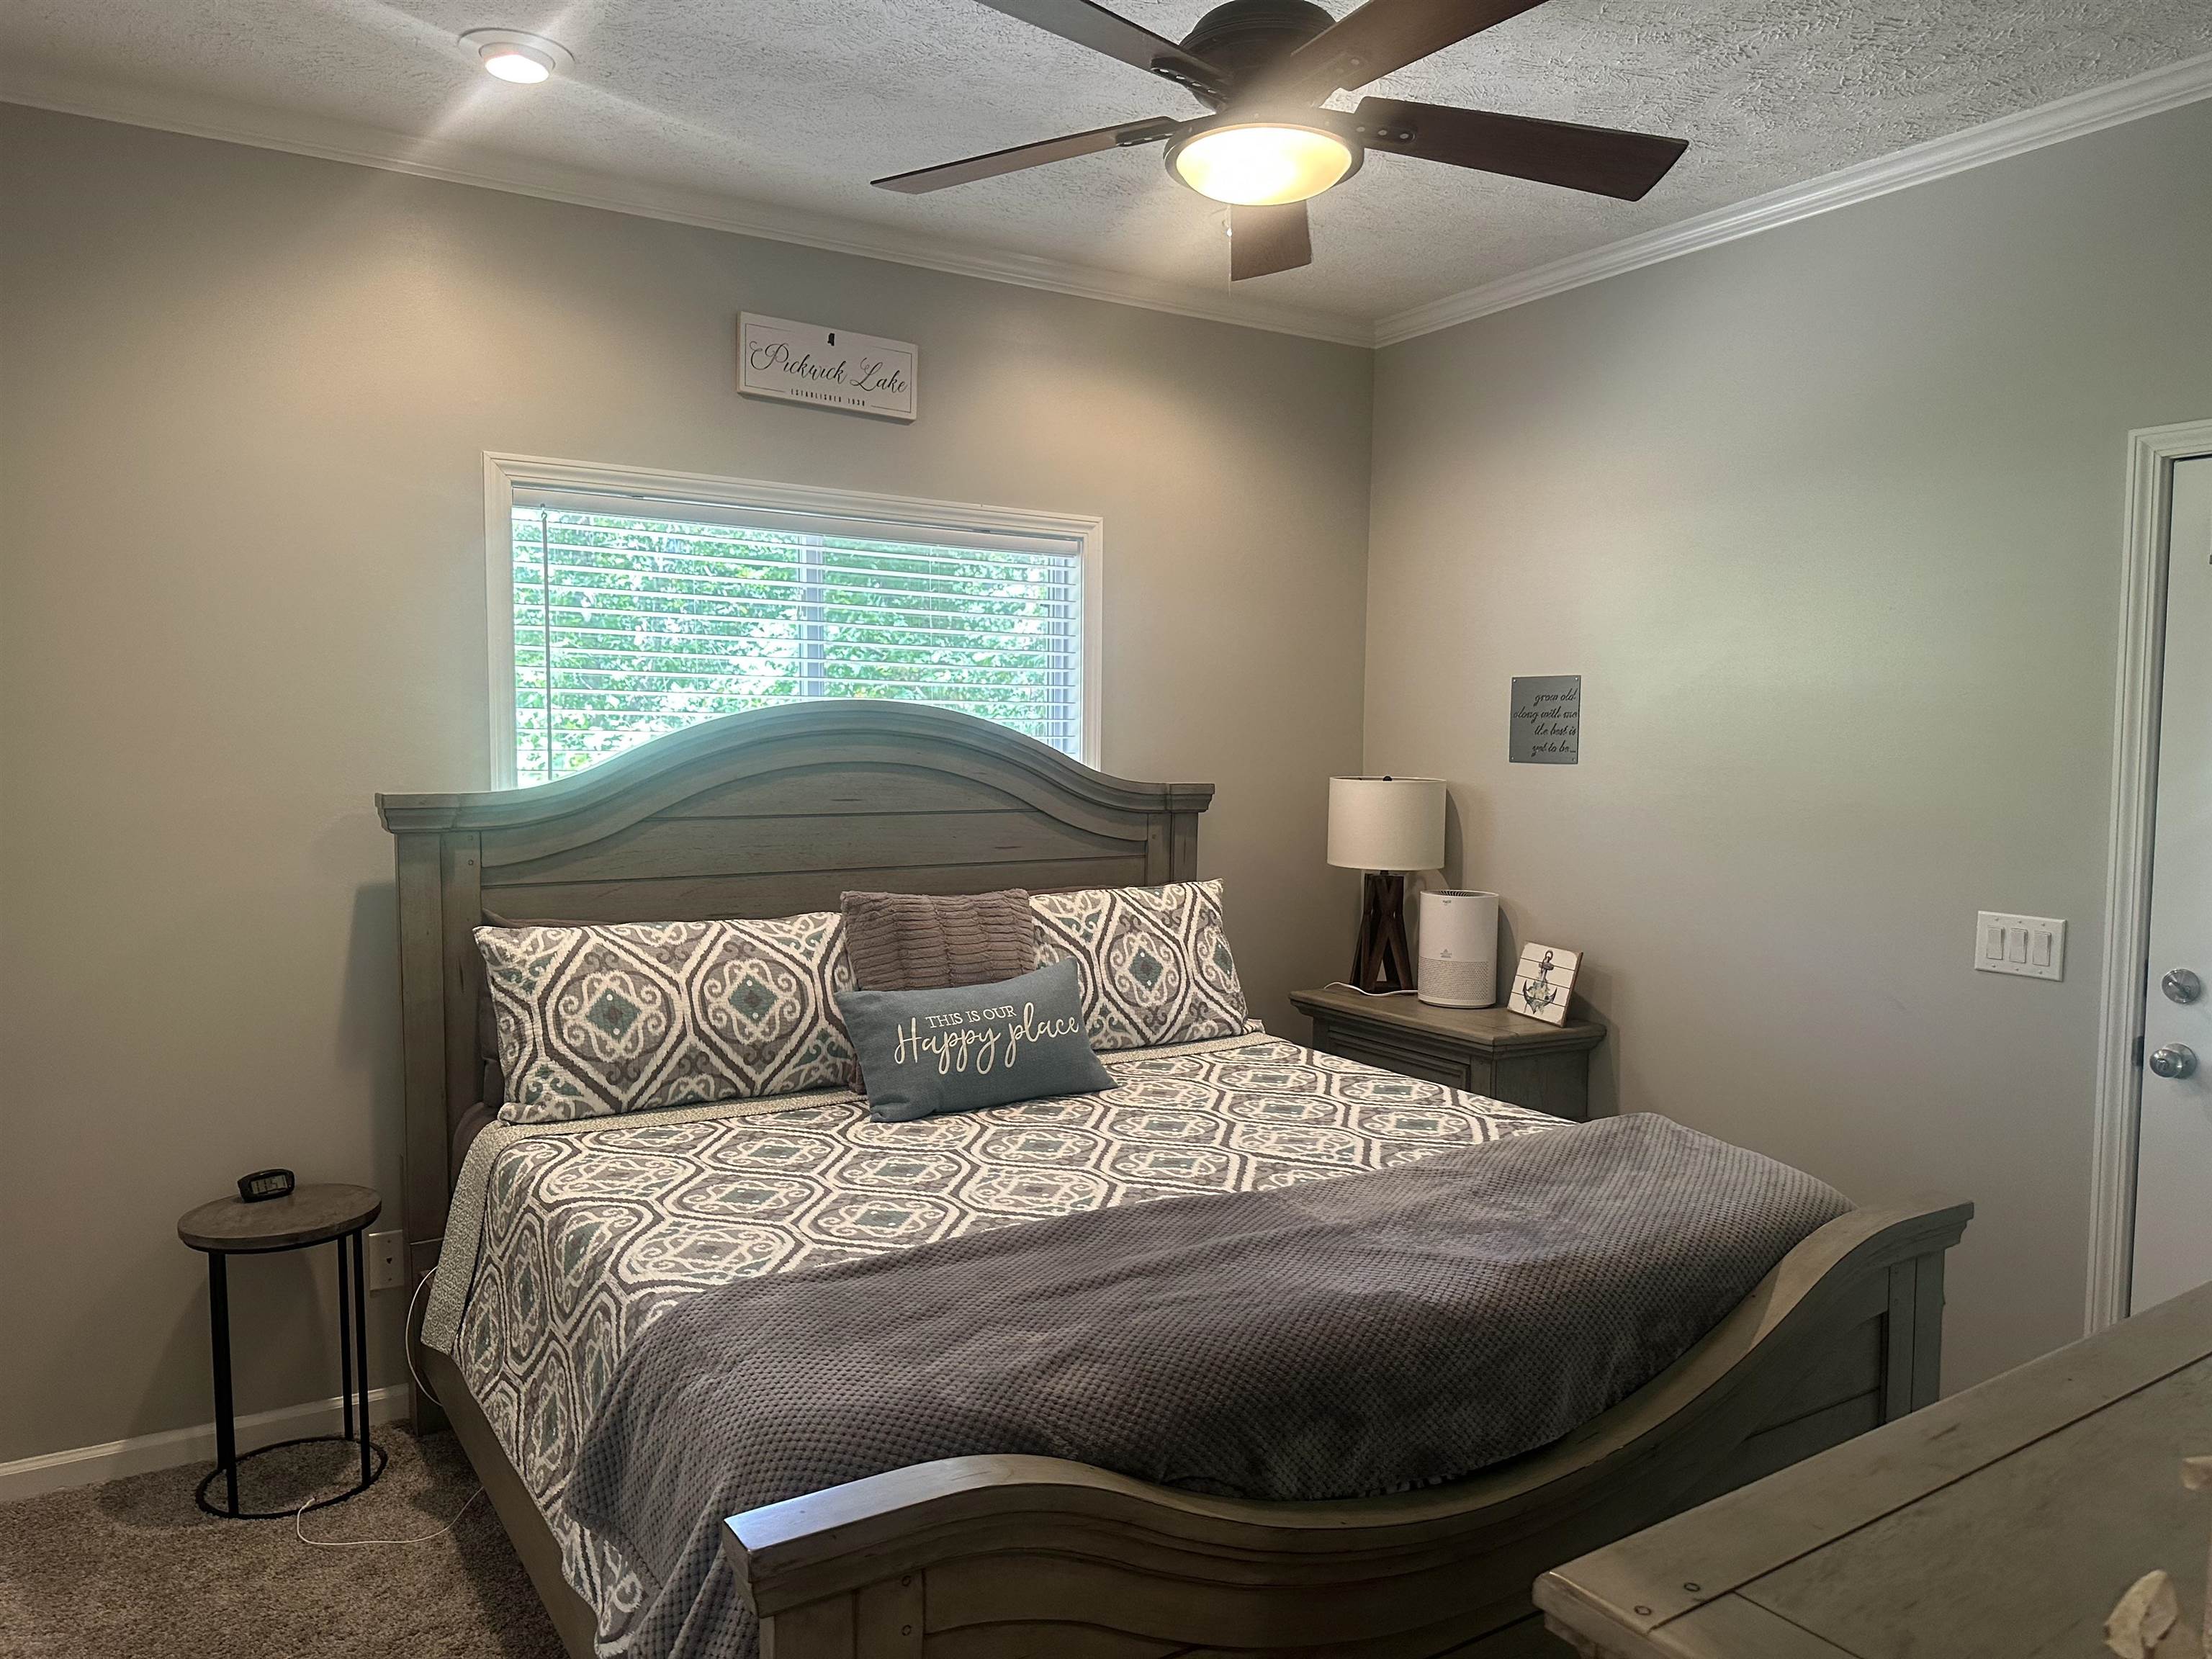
(1154, 961)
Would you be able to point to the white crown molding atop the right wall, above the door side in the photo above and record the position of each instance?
(2078, 116)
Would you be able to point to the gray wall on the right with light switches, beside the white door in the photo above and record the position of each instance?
(1830, 525)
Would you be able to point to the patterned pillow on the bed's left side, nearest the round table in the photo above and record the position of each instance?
(629, 1016)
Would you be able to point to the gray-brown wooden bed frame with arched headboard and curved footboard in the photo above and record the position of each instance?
(999, 1558)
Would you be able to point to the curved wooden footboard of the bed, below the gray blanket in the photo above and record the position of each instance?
(1003, 1558)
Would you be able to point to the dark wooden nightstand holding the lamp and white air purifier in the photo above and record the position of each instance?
(1485, 1052)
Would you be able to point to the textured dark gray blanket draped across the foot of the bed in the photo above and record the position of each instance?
(1337, 1339)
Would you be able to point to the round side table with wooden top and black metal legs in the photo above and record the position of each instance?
(306, 1218)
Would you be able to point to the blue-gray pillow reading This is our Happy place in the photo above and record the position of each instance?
(972, 1045)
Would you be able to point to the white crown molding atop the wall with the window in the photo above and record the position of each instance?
(333, 140)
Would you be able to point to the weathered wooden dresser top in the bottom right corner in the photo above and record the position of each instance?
(1996, 1525)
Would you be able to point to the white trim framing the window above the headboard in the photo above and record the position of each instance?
(508, 474)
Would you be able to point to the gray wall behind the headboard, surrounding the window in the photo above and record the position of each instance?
(244, 589)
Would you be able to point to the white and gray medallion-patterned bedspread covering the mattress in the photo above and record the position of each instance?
(570, 1240)
